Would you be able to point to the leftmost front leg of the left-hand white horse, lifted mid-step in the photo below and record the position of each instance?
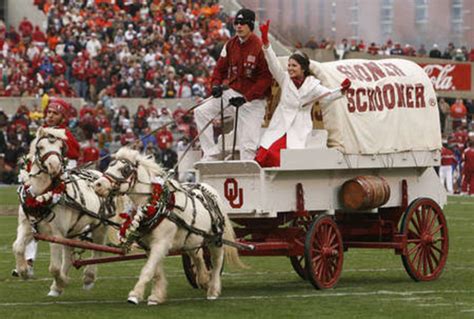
(24, 236)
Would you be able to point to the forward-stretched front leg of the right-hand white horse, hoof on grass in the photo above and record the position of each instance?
(158, 251)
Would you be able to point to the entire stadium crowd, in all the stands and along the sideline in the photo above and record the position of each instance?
(102, 49)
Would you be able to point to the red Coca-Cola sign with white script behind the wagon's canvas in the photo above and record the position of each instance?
(449, 76)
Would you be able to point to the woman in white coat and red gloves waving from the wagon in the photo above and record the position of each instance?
(291, 124)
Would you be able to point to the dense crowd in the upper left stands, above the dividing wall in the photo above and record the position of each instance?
(139, 48)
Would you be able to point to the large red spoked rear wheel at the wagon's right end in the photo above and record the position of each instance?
(426, 230)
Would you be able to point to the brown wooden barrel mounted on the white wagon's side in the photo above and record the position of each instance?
(365, 192)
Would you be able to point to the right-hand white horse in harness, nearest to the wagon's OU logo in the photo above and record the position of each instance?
(171, 216)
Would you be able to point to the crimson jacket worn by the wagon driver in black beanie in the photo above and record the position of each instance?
(244, 67)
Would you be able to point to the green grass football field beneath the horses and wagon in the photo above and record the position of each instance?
(373, 284)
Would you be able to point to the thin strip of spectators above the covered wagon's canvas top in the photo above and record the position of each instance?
(390, 48)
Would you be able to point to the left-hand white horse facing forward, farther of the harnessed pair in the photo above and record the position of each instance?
(60, 205)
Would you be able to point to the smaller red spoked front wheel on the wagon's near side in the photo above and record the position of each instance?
(324, 253)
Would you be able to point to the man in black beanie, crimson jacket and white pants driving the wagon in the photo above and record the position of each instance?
(241, 67)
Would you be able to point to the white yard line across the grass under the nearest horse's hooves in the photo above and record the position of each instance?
(279, 297)
